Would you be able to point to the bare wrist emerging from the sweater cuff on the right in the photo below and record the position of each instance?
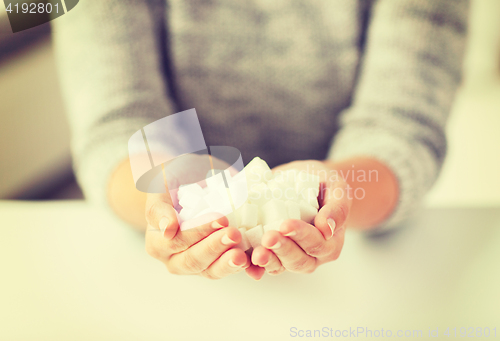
(374, 189)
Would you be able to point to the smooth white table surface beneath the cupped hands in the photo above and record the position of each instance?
(69, 272)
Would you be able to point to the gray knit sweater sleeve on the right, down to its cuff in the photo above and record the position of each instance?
(409, 74)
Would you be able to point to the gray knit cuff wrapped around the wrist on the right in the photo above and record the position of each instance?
(412, 163)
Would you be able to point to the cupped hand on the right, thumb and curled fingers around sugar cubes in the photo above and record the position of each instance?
(302, 247)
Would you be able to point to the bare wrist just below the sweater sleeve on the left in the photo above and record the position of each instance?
(125, 200)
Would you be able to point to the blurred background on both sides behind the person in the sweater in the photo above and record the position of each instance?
(35, 139)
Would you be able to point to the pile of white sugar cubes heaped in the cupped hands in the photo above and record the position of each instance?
(254, 200)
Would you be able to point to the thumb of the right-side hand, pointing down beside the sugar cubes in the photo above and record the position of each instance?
(335, 203)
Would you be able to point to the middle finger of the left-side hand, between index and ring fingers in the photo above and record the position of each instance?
(199, 256)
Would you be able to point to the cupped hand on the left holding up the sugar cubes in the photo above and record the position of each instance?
(205, 250)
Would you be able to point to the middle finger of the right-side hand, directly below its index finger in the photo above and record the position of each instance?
(291, 256)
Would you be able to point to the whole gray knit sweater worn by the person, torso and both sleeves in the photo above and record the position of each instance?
(283, 80)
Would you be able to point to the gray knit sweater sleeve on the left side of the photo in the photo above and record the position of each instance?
(110, 66)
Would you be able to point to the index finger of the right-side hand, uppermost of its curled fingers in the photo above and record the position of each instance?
(307, 237)
